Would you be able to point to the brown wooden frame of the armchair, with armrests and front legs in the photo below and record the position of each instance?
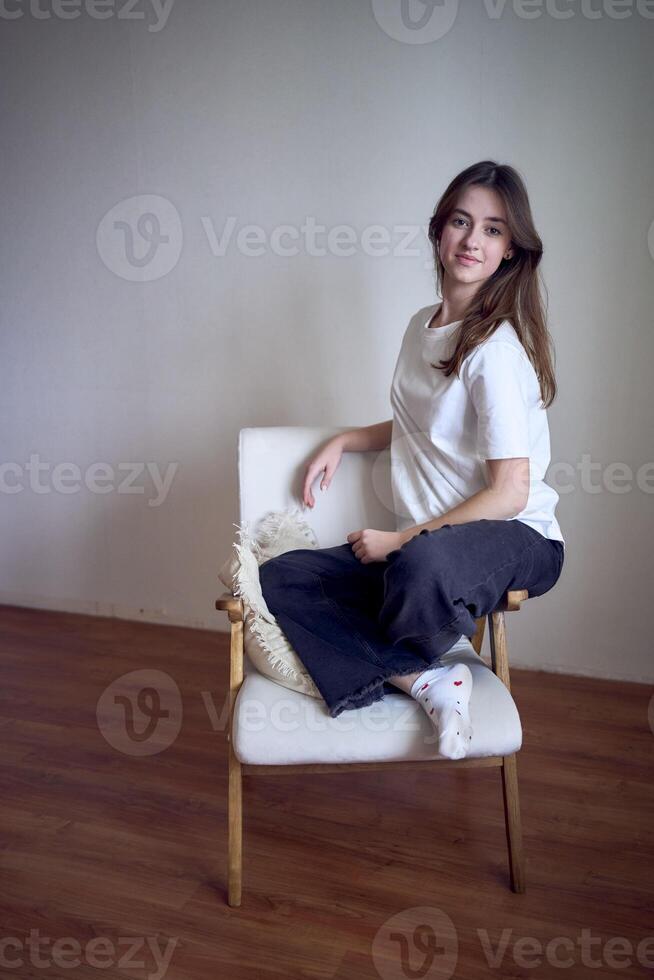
(233, 606)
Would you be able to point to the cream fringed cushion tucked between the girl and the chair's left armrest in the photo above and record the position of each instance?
(265, 643)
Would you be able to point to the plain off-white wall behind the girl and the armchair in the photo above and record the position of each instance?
(271, 112)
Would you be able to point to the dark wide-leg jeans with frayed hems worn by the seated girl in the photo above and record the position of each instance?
(353, 625)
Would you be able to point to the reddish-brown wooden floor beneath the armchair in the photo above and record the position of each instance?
(97, 842)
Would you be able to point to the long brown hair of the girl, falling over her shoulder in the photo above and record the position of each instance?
(512, 293)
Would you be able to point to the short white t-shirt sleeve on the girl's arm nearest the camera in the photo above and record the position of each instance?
(497, 379)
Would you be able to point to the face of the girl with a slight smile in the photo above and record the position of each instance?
(476, 230)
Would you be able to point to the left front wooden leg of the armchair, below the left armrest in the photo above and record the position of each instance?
(235, 791)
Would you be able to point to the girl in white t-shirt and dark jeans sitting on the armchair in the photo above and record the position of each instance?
(469, 447)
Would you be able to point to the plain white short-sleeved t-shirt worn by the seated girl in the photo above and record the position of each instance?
(444, 428)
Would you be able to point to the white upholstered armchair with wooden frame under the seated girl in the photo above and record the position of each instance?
(273, 729)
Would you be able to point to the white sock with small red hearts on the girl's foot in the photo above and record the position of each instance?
(444, 693)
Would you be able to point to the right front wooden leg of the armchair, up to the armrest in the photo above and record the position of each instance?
(500, 665)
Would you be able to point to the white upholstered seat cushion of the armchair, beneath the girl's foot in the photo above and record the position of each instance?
(276, 726)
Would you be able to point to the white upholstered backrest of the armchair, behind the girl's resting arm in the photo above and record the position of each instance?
(271, 467)
